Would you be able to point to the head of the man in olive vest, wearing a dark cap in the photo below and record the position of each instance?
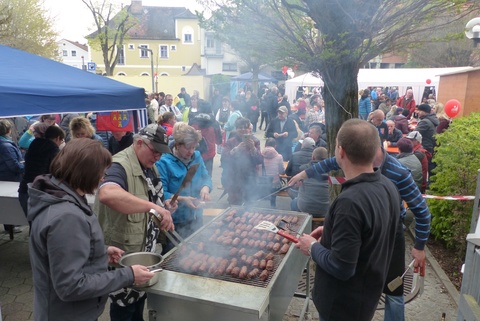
(149, 144)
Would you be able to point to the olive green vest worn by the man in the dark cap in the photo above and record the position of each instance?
(126, 231)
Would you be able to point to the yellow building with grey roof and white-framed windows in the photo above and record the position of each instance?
(167, 36)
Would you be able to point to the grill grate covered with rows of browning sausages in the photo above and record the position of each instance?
(216, 238)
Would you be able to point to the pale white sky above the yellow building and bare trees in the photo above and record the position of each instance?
(73, 20)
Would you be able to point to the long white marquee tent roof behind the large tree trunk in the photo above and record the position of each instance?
(417, 78)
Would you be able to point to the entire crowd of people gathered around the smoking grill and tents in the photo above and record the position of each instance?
(134, 173)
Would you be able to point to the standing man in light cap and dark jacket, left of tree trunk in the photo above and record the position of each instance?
(284, 131)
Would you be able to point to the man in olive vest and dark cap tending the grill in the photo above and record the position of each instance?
(131, 188)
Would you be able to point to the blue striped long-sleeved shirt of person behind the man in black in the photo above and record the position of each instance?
(409, 192)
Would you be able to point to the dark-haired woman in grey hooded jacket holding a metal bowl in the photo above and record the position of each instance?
(70, 273)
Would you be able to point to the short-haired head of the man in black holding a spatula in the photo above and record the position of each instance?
(358, 141)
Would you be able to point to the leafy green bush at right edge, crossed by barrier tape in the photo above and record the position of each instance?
(456, 174)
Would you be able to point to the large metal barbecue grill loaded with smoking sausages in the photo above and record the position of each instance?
(183, 293)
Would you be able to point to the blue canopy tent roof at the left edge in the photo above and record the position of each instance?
(33, 85)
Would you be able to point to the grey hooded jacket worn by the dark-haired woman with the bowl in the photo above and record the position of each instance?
(68, 255)
